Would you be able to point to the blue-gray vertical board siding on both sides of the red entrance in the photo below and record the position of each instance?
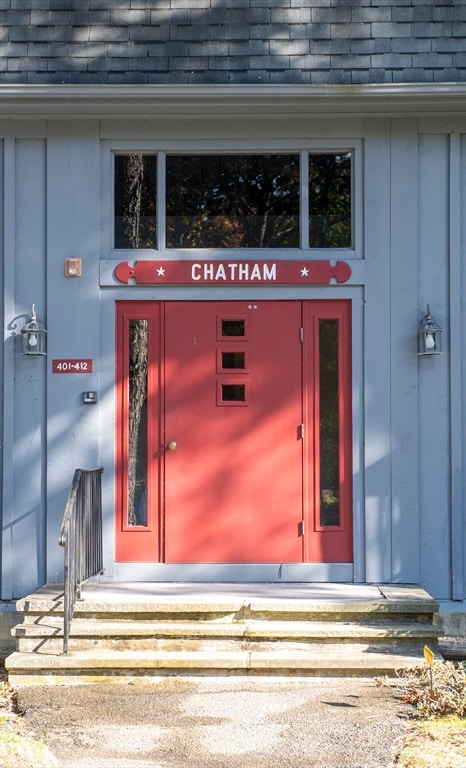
(407, 412)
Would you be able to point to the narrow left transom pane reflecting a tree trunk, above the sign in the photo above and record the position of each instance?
(135, 201)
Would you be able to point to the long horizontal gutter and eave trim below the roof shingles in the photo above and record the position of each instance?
(145, 101)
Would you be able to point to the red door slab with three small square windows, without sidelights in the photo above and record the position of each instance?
(233, 406)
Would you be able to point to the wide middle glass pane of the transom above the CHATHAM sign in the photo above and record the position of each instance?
(233, 201)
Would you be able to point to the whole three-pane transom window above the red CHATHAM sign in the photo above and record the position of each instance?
(177, 201)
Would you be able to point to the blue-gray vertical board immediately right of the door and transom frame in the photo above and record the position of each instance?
(376, 426)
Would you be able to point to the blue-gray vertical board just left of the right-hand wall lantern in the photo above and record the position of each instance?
(404, 397)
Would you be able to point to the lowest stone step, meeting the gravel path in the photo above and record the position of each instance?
(124, 666)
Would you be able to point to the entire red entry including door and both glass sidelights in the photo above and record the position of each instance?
(234, 432)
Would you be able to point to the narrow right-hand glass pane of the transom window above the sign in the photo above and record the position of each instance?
(330, 201)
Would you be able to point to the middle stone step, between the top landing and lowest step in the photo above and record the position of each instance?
(45, 635)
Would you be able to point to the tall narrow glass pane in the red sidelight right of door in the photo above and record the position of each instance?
(329, 423)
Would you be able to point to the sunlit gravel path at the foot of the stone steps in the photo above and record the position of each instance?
(218, 723)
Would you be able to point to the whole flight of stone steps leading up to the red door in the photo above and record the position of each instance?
(121, 632)
